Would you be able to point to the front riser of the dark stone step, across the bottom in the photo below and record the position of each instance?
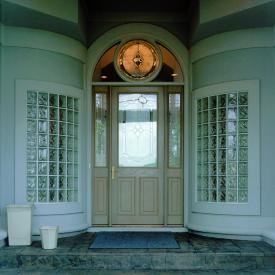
(139, 261)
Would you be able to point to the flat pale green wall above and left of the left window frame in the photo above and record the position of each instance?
(32, 64)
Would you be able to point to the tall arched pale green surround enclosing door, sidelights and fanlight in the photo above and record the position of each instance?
(95, 51)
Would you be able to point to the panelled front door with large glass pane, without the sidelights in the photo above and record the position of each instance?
(137, 156)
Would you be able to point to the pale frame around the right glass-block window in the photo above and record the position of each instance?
(252, 207)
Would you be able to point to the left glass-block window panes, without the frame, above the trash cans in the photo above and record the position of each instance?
(52, 151)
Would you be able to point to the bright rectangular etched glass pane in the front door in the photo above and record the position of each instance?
(137, 118)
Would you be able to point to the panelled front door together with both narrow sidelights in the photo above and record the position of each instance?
(138, 168)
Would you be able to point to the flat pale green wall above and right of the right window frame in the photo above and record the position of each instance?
(253, 63)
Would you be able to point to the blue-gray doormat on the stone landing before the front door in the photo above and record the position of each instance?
(134, 240)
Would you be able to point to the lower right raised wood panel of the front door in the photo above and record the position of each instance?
(149, 199)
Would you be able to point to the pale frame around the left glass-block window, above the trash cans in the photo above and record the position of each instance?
(21, 88)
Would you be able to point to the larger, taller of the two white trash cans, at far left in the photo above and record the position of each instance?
(19, 224)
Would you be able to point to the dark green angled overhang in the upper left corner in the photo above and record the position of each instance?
(65, 17)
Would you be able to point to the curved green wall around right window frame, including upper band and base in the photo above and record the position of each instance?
(234, 56)
